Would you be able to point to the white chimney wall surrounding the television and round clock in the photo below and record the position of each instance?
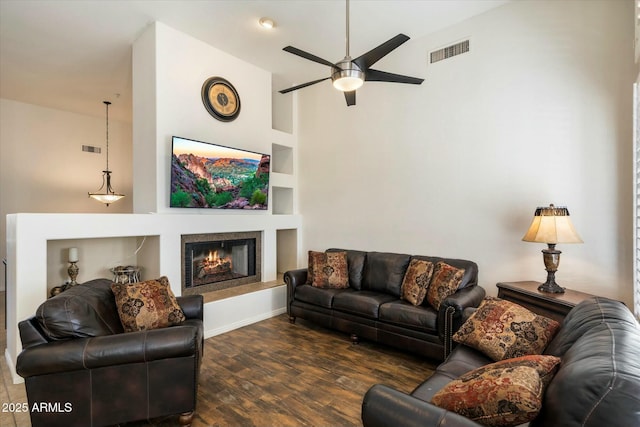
(179, 66)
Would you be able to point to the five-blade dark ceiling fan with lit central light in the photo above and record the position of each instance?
(349, 74)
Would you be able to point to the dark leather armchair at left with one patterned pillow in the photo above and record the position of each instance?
(101, 375)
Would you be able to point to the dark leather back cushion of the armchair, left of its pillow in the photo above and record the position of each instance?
(84, 310)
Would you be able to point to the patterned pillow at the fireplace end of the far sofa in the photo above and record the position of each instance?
(329, 270)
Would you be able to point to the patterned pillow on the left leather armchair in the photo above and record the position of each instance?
(147, 305)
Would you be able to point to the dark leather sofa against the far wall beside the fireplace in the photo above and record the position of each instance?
(371, 307)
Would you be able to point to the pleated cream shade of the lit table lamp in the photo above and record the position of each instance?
(552, 225)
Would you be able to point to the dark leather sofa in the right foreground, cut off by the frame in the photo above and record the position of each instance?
(597, 384)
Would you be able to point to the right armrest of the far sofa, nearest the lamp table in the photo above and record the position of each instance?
(450, 314)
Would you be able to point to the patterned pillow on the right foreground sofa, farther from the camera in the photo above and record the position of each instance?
(503, 330)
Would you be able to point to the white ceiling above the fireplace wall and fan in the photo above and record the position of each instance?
(73, 54)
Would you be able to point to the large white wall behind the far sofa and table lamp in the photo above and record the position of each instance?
(538, 112)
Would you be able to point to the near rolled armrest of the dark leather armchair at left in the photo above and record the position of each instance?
(108, 350)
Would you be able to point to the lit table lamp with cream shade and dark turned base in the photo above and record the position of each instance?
(551, 225)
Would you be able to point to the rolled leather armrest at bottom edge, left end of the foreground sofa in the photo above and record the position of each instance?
(383, 406)
